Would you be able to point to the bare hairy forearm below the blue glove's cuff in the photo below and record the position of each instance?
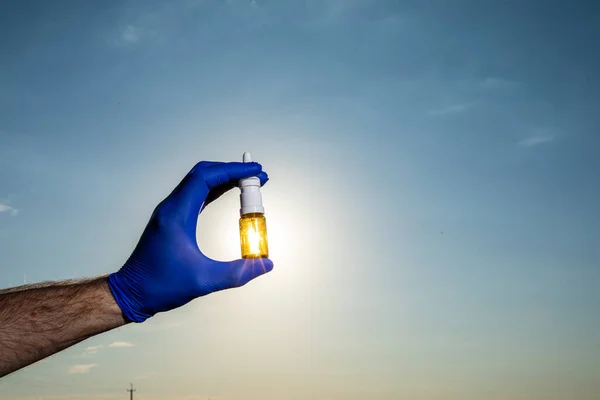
(38, 321)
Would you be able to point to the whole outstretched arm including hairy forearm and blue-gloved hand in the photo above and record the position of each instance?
(165, 271)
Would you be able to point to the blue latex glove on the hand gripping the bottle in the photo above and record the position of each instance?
(167, 269)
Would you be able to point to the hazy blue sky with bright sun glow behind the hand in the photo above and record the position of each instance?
(432, 205)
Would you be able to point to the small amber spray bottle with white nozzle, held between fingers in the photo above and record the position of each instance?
(253, 224)
